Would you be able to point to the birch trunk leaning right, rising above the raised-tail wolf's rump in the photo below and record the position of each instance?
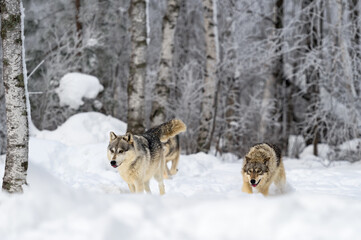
(158, 113)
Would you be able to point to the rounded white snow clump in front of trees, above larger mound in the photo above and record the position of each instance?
(76, 86)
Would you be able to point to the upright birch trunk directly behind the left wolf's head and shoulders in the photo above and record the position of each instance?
(138, 66)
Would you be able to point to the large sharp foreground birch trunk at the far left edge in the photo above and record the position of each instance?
(15, 97)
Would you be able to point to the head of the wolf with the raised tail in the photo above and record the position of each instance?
(120, 148)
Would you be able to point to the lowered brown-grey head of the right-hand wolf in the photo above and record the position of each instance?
(255, 170)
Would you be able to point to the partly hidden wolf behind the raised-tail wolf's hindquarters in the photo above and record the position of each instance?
(171, 154)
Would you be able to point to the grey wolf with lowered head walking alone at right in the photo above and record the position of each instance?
(263, 166)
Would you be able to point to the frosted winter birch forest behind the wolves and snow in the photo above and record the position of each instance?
(281, 69)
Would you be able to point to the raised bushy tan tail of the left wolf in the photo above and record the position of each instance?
(168, 129)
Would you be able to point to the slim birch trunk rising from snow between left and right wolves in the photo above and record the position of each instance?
(209, 85)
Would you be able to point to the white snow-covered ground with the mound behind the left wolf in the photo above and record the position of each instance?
(74, 193)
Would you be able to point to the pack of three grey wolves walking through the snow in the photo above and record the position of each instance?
(139, 158)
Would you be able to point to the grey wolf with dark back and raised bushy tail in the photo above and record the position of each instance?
(138, 158)
